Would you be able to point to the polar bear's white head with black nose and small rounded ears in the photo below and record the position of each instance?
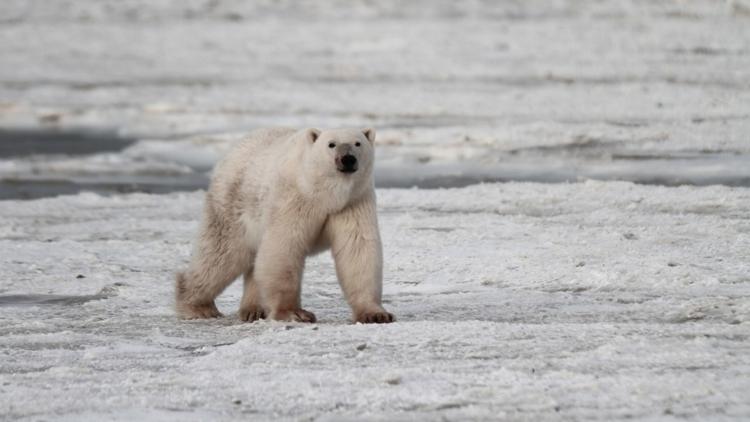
(343, 153)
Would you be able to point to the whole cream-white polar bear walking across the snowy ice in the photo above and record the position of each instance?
(277, 197)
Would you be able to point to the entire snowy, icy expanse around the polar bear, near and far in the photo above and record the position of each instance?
(595, 300)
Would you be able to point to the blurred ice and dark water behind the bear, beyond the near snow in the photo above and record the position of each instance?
(146, 95)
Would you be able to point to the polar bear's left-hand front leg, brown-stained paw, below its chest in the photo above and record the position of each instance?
(278, 271)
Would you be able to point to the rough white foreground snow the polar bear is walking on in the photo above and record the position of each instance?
(596, 300)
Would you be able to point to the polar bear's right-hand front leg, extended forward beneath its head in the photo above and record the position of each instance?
(355, 244)
